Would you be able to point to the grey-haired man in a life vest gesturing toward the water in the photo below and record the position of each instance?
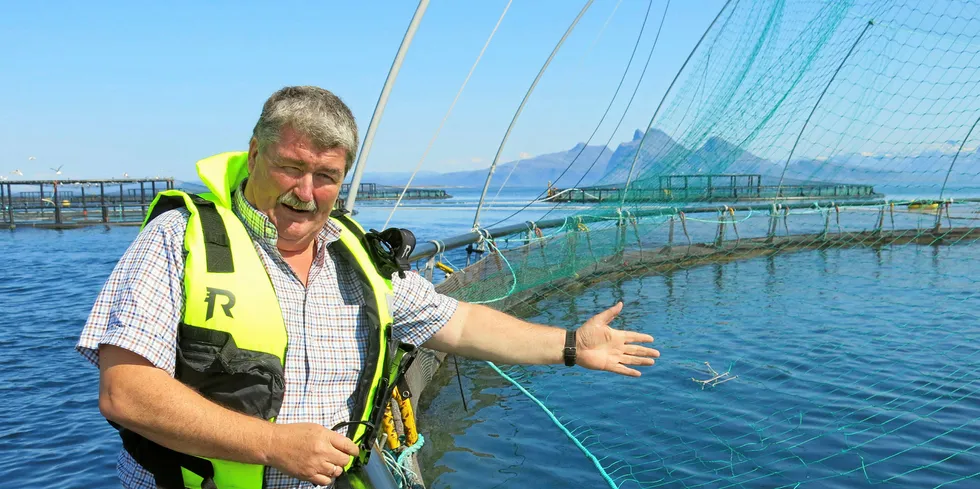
(255, 305)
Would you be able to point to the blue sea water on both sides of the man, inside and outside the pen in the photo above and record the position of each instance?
(855, 368)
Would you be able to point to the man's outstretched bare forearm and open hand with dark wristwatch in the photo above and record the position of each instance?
(482, 333)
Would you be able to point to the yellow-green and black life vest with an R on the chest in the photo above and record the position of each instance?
(232, 339)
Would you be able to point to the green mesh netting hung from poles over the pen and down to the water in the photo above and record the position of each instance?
(794, 125)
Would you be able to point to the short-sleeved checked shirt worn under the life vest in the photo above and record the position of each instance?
(142, 301)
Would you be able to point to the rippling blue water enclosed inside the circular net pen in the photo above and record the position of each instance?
(849, 368)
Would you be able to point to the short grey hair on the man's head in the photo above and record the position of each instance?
(312, 111)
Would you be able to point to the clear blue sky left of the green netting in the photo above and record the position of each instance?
(105, 88)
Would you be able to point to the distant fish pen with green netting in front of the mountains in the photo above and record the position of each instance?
(712, 188)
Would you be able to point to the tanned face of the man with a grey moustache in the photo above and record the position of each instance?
(296, 185)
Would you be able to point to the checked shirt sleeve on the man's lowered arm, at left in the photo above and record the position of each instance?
(141, 302)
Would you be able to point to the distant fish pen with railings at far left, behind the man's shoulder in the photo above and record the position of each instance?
(67, 204)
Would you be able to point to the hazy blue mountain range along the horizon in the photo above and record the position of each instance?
(662, 155)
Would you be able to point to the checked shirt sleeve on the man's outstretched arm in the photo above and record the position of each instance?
(419, 311)
